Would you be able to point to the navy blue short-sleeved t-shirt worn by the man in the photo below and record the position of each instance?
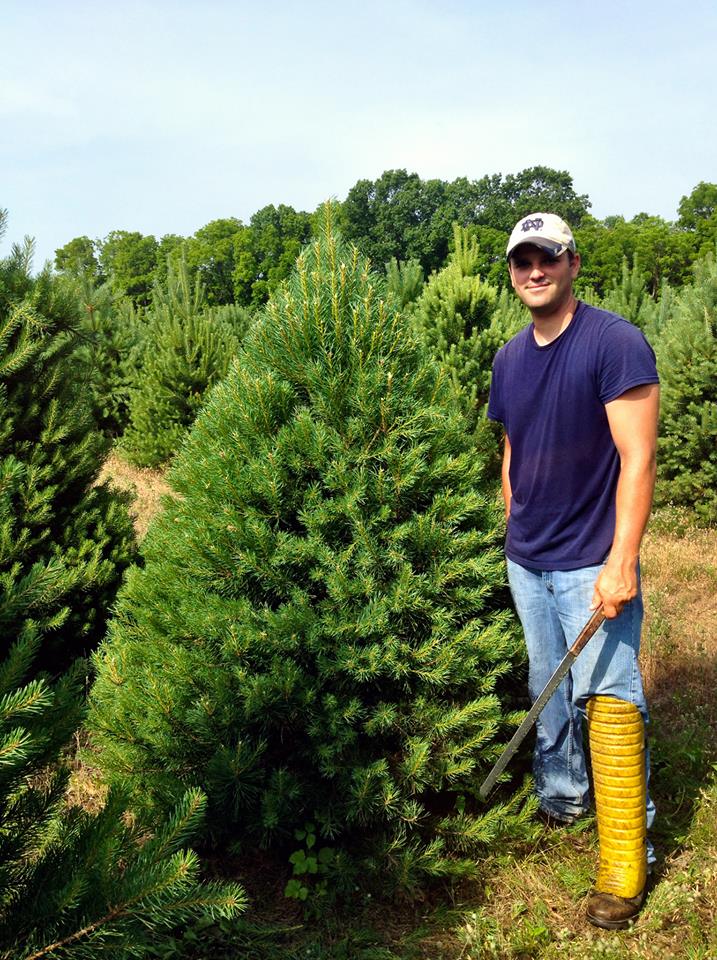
(564, 465)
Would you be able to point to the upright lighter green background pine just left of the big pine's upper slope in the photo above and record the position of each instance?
(186, 348)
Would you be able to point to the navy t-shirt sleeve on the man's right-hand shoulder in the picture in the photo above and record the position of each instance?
(626, 360)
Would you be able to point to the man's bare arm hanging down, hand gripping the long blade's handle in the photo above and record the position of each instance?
(633, 420)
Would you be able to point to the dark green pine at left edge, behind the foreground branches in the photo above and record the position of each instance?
(54, 514)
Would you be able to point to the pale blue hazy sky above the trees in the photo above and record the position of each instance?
(163, 115)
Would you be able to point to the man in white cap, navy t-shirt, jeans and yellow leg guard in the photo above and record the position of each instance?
(577, 393)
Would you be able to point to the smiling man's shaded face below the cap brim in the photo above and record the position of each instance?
(544, 283)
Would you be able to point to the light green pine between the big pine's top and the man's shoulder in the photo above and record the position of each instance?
(464, 322)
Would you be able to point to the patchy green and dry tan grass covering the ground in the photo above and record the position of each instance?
(529, 904)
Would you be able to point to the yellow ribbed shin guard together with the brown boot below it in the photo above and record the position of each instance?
(617, 748)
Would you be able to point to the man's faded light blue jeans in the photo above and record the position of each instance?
(553, 607)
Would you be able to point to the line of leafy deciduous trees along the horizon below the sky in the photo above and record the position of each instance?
(400, 216)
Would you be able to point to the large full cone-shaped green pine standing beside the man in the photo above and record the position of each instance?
(320, 629)
